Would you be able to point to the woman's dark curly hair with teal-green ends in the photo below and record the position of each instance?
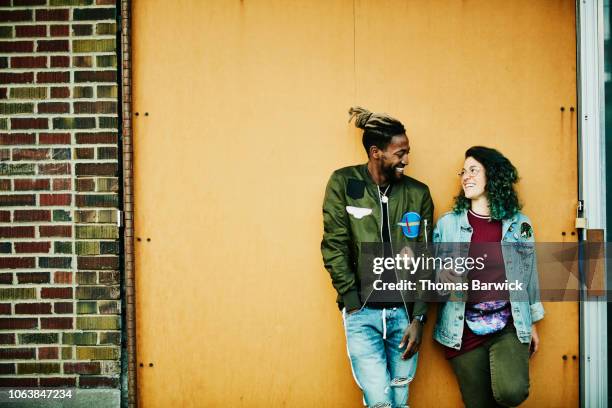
(501, 176)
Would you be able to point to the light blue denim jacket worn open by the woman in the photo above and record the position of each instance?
(519, 262)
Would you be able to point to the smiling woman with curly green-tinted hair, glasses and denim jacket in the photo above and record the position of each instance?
(489, 336)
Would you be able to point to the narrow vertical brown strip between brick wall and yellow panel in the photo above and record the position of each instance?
(128, 195)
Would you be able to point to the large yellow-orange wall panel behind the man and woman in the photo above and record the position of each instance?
(247, 104)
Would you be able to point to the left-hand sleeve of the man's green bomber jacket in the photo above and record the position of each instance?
(335, 246)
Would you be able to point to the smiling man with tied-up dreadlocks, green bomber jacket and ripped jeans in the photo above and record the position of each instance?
(376, 202)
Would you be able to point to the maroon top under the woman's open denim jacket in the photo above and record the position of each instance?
(484, 230)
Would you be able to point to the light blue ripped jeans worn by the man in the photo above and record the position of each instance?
(373, 337)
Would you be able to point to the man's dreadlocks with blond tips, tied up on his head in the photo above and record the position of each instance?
(378, 128)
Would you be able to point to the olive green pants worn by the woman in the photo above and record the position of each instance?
(496, 374)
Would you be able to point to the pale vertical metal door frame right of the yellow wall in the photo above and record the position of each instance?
(592, 189)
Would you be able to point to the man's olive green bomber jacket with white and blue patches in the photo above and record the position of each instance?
(352, 213)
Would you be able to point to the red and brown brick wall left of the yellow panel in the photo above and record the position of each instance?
(60, 309)
